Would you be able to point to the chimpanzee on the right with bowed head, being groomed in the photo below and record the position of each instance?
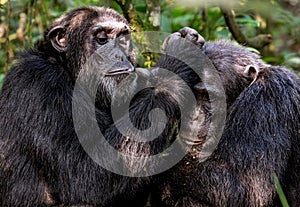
(260, 139)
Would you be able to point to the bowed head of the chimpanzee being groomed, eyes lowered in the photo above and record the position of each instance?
(238, 68)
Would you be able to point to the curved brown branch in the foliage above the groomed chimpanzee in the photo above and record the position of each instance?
(257, 42)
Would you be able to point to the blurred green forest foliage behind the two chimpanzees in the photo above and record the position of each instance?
(268, 27)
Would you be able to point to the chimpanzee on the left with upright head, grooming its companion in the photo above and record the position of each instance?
(43, 162)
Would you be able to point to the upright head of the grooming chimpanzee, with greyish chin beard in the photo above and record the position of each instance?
(93, 37)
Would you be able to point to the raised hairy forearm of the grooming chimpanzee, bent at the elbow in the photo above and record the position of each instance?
(167, 89)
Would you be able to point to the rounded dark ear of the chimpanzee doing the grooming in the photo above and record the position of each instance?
(58, 39)
